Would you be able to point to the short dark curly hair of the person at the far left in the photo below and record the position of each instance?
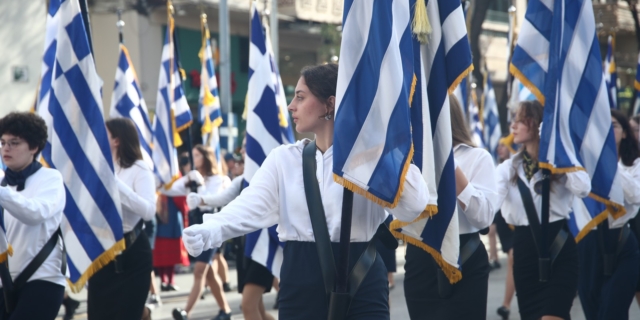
(28, 126)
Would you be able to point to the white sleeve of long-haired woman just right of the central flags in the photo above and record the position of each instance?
(480, 196)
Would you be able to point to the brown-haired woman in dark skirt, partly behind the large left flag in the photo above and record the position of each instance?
(119, 290)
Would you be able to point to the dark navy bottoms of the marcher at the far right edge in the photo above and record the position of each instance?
(607, 297)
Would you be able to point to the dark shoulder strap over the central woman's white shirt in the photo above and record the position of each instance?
(318, 218)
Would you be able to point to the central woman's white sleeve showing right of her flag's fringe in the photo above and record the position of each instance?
(414, 198)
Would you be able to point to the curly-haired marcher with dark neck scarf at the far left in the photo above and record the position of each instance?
(32, 198)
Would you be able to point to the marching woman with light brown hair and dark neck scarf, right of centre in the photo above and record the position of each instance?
(551, 299)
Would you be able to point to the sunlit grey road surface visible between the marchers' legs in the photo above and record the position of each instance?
(207, 308)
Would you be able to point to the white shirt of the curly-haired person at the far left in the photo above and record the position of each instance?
(31, 217)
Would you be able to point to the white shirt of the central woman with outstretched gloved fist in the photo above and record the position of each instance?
(276, 196)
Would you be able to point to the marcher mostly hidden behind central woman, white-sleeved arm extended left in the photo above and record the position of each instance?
(254, 279)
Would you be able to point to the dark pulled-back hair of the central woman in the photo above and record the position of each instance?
(322, 80)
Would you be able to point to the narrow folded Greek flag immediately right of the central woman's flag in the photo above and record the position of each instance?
(440, 65)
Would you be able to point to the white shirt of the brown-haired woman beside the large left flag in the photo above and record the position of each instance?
(137, 193)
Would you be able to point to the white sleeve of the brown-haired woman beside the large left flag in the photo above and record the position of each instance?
(140, 198)
